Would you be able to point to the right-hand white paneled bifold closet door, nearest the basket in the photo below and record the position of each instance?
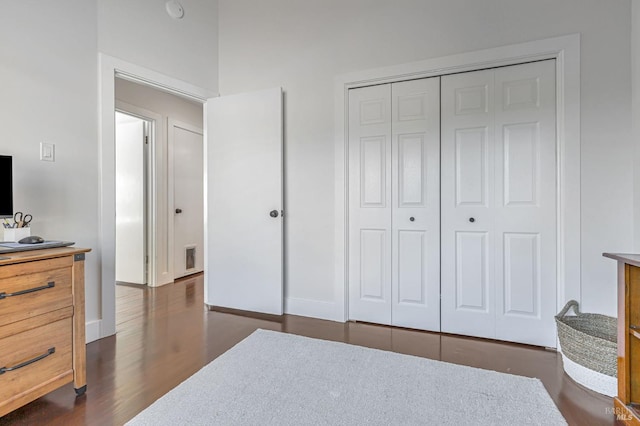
(499, 203)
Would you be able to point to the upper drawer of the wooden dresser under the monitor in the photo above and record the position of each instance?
(34, 288)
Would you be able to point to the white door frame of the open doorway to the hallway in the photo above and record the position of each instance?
(109, 68)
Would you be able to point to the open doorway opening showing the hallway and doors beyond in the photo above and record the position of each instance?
(172, 197)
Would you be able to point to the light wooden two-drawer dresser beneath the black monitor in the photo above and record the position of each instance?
(42, 326)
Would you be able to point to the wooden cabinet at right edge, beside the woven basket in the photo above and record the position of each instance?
(627, 403)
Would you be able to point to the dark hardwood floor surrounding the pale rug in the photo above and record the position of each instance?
(164, 335)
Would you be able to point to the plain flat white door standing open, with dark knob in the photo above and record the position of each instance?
(244, 224)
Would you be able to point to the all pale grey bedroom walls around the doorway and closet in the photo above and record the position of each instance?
(48, 81)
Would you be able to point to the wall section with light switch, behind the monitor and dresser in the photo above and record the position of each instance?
(48, 93)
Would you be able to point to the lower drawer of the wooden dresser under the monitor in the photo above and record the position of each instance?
(48, 346)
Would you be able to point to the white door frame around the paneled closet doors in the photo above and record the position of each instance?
(566, 51)
